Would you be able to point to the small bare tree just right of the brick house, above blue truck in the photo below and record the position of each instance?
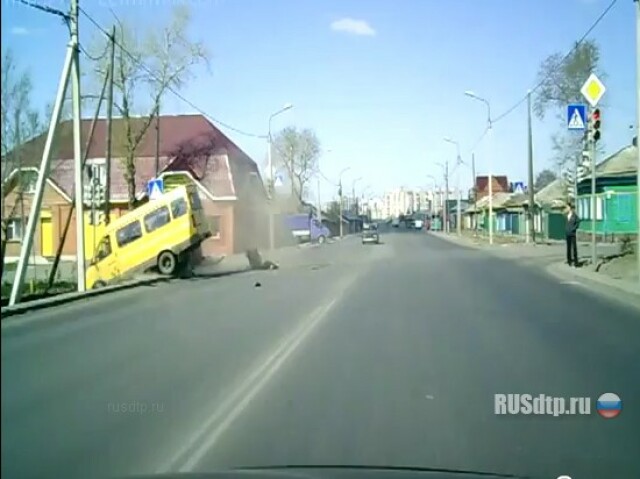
(298, 152)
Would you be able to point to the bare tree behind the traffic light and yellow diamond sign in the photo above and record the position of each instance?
(562, 77)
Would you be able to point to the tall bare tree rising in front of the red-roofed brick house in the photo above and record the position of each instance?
(147, 64)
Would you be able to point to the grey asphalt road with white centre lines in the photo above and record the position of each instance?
(349, 354)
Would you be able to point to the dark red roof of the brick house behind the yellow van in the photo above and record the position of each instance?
(187, 142)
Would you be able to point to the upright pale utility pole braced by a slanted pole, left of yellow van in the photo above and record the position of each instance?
(77, 146)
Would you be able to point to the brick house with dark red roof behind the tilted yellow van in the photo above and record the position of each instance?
(190, 148)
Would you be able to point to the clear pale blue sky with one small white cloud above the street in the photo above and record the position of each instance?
(381, 82)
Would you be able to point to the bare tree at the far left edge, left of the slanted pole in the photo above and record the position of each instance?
(20, 122)
